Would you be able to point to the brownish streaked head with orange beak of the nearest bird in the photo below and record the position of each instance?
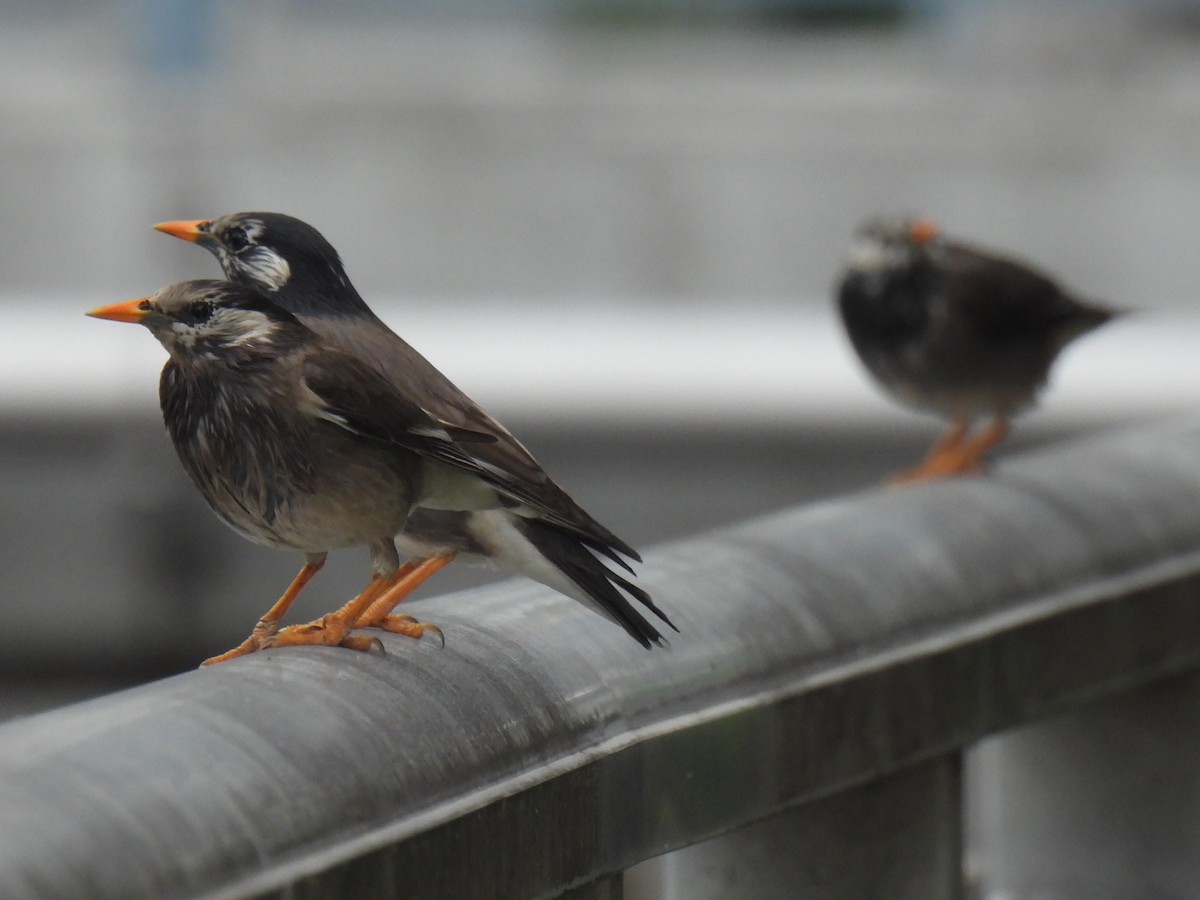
(211, 321)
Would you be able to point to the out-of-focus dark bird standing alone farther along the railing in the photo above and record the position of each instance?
(957, 332)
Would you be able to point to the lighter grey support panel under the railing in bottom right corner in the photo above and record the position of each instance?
(1100, 802)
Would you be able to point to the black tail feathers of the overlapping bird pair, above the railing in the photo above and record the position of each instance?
(599, 583)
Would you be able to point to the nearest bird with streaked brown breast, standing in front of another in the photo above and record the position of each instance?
(293, 445)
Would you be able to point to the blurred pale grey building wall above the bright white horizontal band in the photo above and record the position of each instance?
(675, 152)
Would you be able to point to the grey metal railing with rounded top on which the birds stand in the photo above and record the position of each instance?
(835, 663)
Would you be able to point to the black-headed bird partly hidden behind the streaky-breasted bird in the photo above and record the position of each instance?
(497, 503)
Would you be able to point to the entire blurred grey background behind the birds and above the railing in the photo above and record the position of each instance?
(614, 223)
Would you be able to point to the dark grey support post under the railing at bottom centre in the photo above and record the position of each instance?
(897, 838)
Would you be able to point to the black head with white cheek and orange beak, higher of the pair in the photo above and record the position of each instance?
(269, 251)
